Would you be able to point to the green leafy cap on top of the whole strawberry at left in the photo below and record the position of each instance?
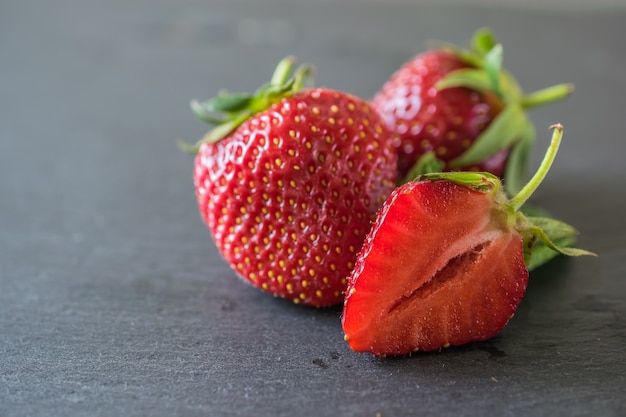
(229, 110)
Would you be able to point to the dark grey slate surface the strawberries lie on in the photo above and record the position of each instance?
(113, 298)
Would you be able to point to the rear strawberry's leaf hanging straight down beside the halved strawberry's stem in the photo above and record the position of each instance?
(517, 163)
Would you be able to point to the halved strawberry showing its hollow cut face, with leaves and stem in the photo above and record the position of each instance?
(446, 262)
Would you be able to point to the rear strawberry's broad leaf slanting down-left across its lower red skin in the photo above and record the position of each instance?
(503, 131)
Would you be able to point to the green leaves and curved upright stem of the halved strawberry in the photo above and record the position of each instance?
(543, 237)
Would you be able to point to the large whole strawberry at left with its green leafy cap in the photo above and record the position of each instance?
(289, 181)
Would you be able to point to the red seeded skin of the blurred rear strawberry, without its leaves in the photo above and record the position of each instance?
(446, 122)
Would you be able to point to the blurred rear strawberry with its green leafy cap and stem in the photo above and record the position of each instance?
(455, 109)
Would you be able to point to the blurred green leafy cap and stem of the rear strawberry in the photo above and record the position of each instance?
(511, 128)
